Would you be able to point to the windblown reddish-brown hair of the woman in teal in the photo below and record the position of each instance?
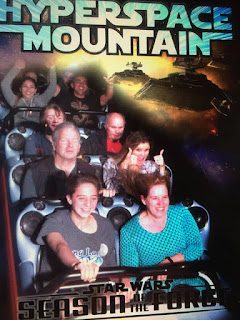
(138, 184)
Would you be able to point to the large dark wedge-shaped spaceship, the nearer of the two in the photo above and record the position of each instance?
(187, 90)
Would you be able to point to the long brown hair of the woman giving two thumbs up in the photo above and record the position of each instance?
(132, 141)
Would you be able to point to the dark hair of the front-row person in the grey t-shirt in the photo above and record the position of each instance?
(76, 180)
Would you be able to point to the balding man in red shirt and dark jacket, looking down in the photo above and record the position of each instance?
(107, 141)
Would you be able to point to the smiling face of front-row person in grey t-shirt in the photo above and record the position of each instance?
(84, 200)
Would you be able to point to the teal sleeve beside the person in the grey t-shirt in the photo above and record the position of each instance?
(128, 251)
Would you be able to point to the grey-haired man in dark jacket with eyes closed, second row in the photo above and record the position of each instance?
(47, 177)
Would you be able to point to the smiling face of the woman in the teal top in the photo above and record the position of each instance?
(157, 201)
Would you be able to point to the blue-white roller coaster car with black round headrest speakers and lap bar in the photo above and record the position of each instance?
(104, 298)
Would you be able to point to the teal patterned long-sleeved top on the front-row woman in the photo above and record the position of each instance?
(141, 248)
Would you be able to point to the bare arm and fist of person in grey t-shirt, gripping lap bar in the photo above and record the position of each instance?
(57, 243)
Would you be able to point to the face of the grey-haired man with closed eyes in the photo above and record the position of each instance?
(67, 144)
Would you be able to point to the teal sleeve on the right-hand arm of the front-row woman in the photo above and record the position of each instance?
(193, 246)
